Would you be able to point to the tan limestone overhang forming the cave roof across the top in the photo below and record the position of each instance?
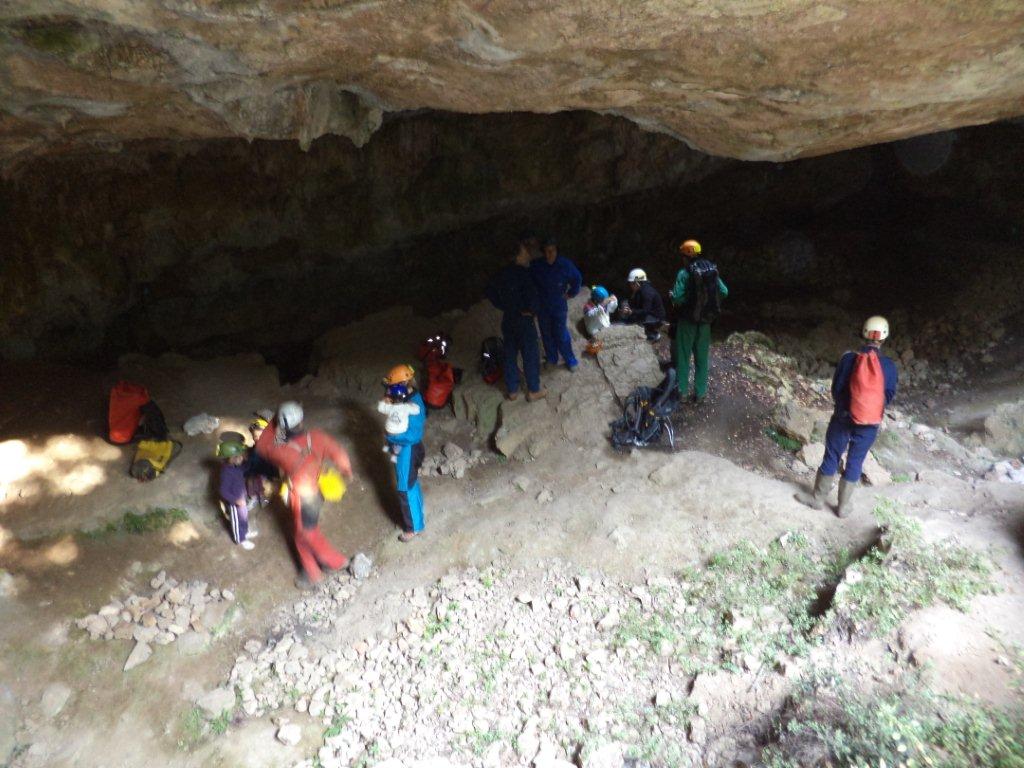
(750, 79)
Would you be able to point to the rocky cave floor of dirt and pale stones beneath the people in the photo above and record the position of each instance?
(568, 603)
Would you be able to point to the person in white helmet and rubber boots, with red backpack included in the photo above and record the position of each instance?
(865, 383)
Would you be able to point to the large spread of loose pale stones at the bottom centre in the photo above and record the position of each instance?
(488, 669)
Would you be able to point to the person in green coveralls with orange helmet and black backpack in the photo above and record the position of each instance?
(698, 298)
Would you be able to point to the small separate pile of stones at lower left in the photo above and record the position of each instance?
(175, 611)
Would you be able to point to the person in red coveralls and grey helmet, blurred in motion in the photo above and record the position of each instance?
(301, 455)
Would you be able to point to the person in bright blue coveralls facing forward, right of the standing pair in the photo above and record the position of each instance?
(558, 279)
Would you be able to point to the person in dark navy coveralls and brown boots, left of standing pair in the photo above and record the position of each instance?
(515, 293)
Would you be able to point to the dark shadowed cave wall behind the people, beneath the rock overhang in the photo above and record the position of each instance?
(212, 247)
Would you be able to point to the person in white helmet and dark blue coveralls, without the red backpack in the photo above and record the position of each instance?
(844, 435)
